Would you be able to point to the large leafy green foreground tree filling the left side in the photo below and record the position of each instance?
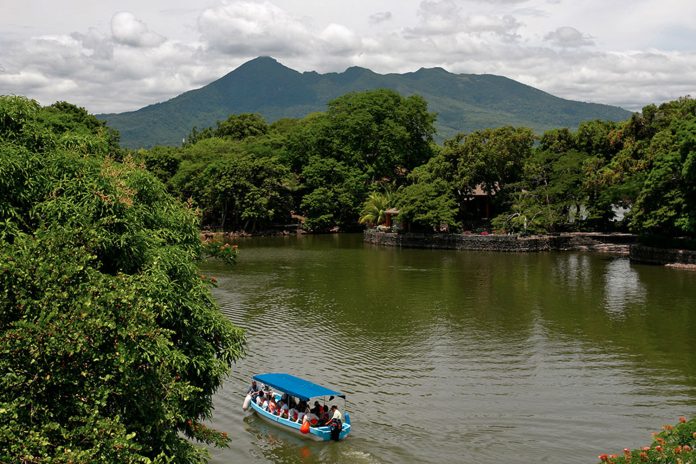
(111, 345)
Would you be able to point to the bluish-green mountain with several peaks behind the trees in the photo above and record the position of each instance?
(463, 102)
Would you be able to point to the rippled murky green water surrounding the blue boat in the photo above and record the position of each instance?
(463, 357)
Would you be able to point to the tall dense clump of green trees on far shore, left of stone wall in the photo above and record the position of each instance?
(321, 167)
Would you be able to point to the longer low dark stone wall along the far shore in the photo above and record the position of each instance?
(617, 243)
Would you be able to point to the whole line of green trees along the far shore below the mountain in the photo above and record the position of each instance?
(374, 150)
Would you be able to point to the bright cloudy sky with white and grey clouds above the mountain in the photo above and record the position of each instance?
(118, 55)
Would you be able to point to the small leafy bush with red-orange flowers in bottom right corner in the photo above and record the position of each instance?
(674, 444)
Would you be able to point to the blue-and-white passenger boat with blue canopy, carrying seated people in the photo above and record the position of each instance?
(302, 390)
